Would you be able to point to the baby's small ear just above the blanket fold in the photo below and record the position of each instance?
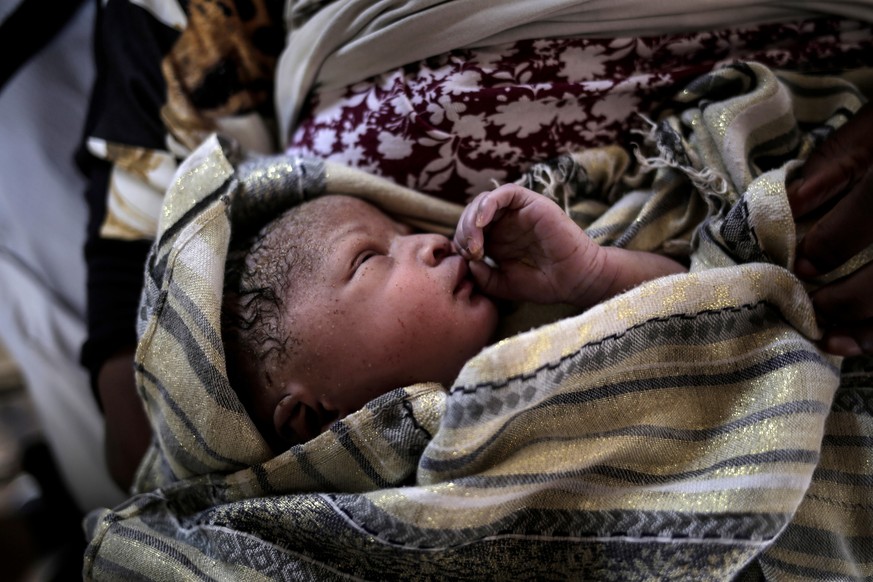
(299, 417)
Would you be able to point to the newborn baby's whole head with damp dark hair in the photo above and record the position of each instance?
(335, 303)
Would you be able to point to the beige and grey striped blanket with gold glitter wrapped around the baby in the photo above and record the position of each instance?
(687, 429)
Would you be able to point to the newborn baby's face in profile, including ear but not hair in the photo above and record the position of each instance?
(387, 308)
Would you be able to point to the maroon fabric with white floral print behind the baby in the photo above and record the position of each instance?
(454, 125)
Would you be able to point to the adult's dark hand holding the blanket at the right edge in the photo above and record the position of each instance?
(835, 189)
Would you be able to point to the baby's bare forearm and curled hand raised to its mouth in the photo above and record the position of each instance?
(542, 255)
